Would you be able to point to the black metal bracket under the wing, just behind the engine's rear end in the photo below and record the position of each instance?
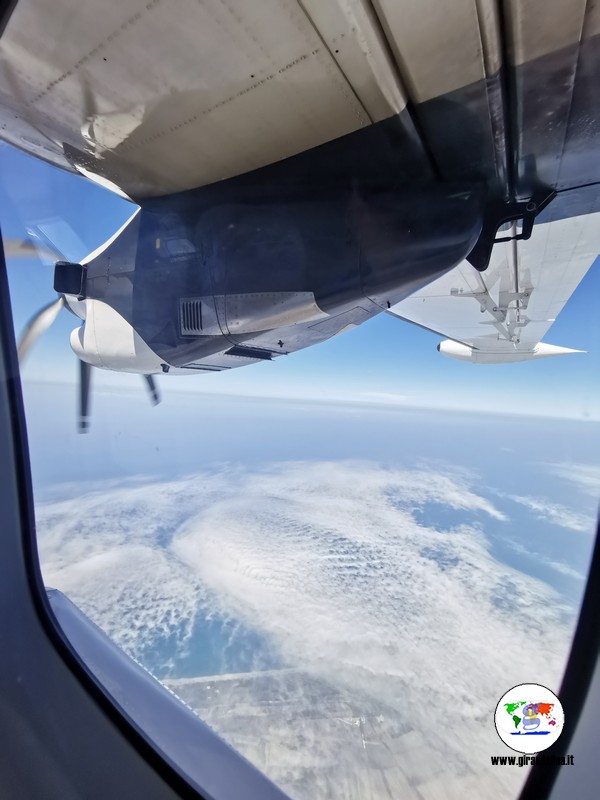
(497, 214)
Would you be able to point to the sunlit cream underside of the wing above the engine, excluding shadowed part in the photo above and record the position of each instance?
(162, 96)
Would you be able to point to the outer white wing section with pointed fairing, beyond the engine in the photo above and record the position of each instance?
(502, 314)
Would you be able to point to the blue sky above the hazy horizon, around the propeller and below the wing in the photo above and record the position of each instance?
(383, 361)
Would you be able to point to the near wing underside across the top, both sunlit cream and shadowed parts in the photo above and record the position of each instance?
(152, 98)
